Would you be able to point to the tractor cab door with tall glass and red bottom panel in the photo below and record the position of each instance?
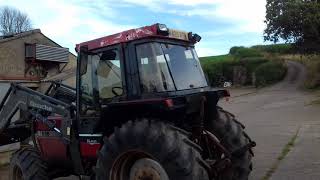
(100, 81)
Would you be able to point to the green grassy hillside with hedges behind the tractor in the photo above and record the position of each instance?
(266, 62)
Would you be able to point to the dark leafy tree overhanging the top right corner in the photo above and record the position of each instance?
(294, 21)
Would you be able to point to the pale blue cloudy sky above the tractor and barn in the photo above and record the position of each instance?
(221, 23)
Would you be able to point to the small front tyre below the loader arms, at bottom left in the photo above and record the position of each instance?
(26, 164)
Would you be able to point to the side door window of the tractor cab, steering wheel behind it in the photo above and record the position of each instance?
(101, 79)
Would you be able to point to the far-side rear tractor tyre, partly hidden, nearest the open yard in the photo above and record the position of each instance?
(231, 134)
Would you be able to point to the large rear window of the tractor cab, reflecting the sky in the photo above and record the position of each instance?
(168, 67)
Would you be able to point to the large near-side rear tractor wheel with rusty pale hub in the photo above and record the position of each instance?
(149, 150)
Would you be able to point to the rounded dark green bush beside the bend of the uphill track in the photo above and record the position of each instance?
(269, 72)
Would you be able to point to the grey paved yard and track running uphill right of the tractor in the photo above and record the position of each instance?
(272, 116)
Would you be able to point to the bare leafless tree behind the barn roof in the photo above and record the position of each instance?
(13, 21)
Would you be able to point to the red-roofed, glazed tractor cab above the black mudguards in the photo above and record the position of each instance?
(147, 62)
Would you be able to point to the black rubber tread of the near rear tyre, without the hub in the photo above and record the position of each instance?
(168, 145)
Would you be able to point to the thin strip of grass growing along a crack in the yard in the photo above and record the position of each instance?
(286, 149)
